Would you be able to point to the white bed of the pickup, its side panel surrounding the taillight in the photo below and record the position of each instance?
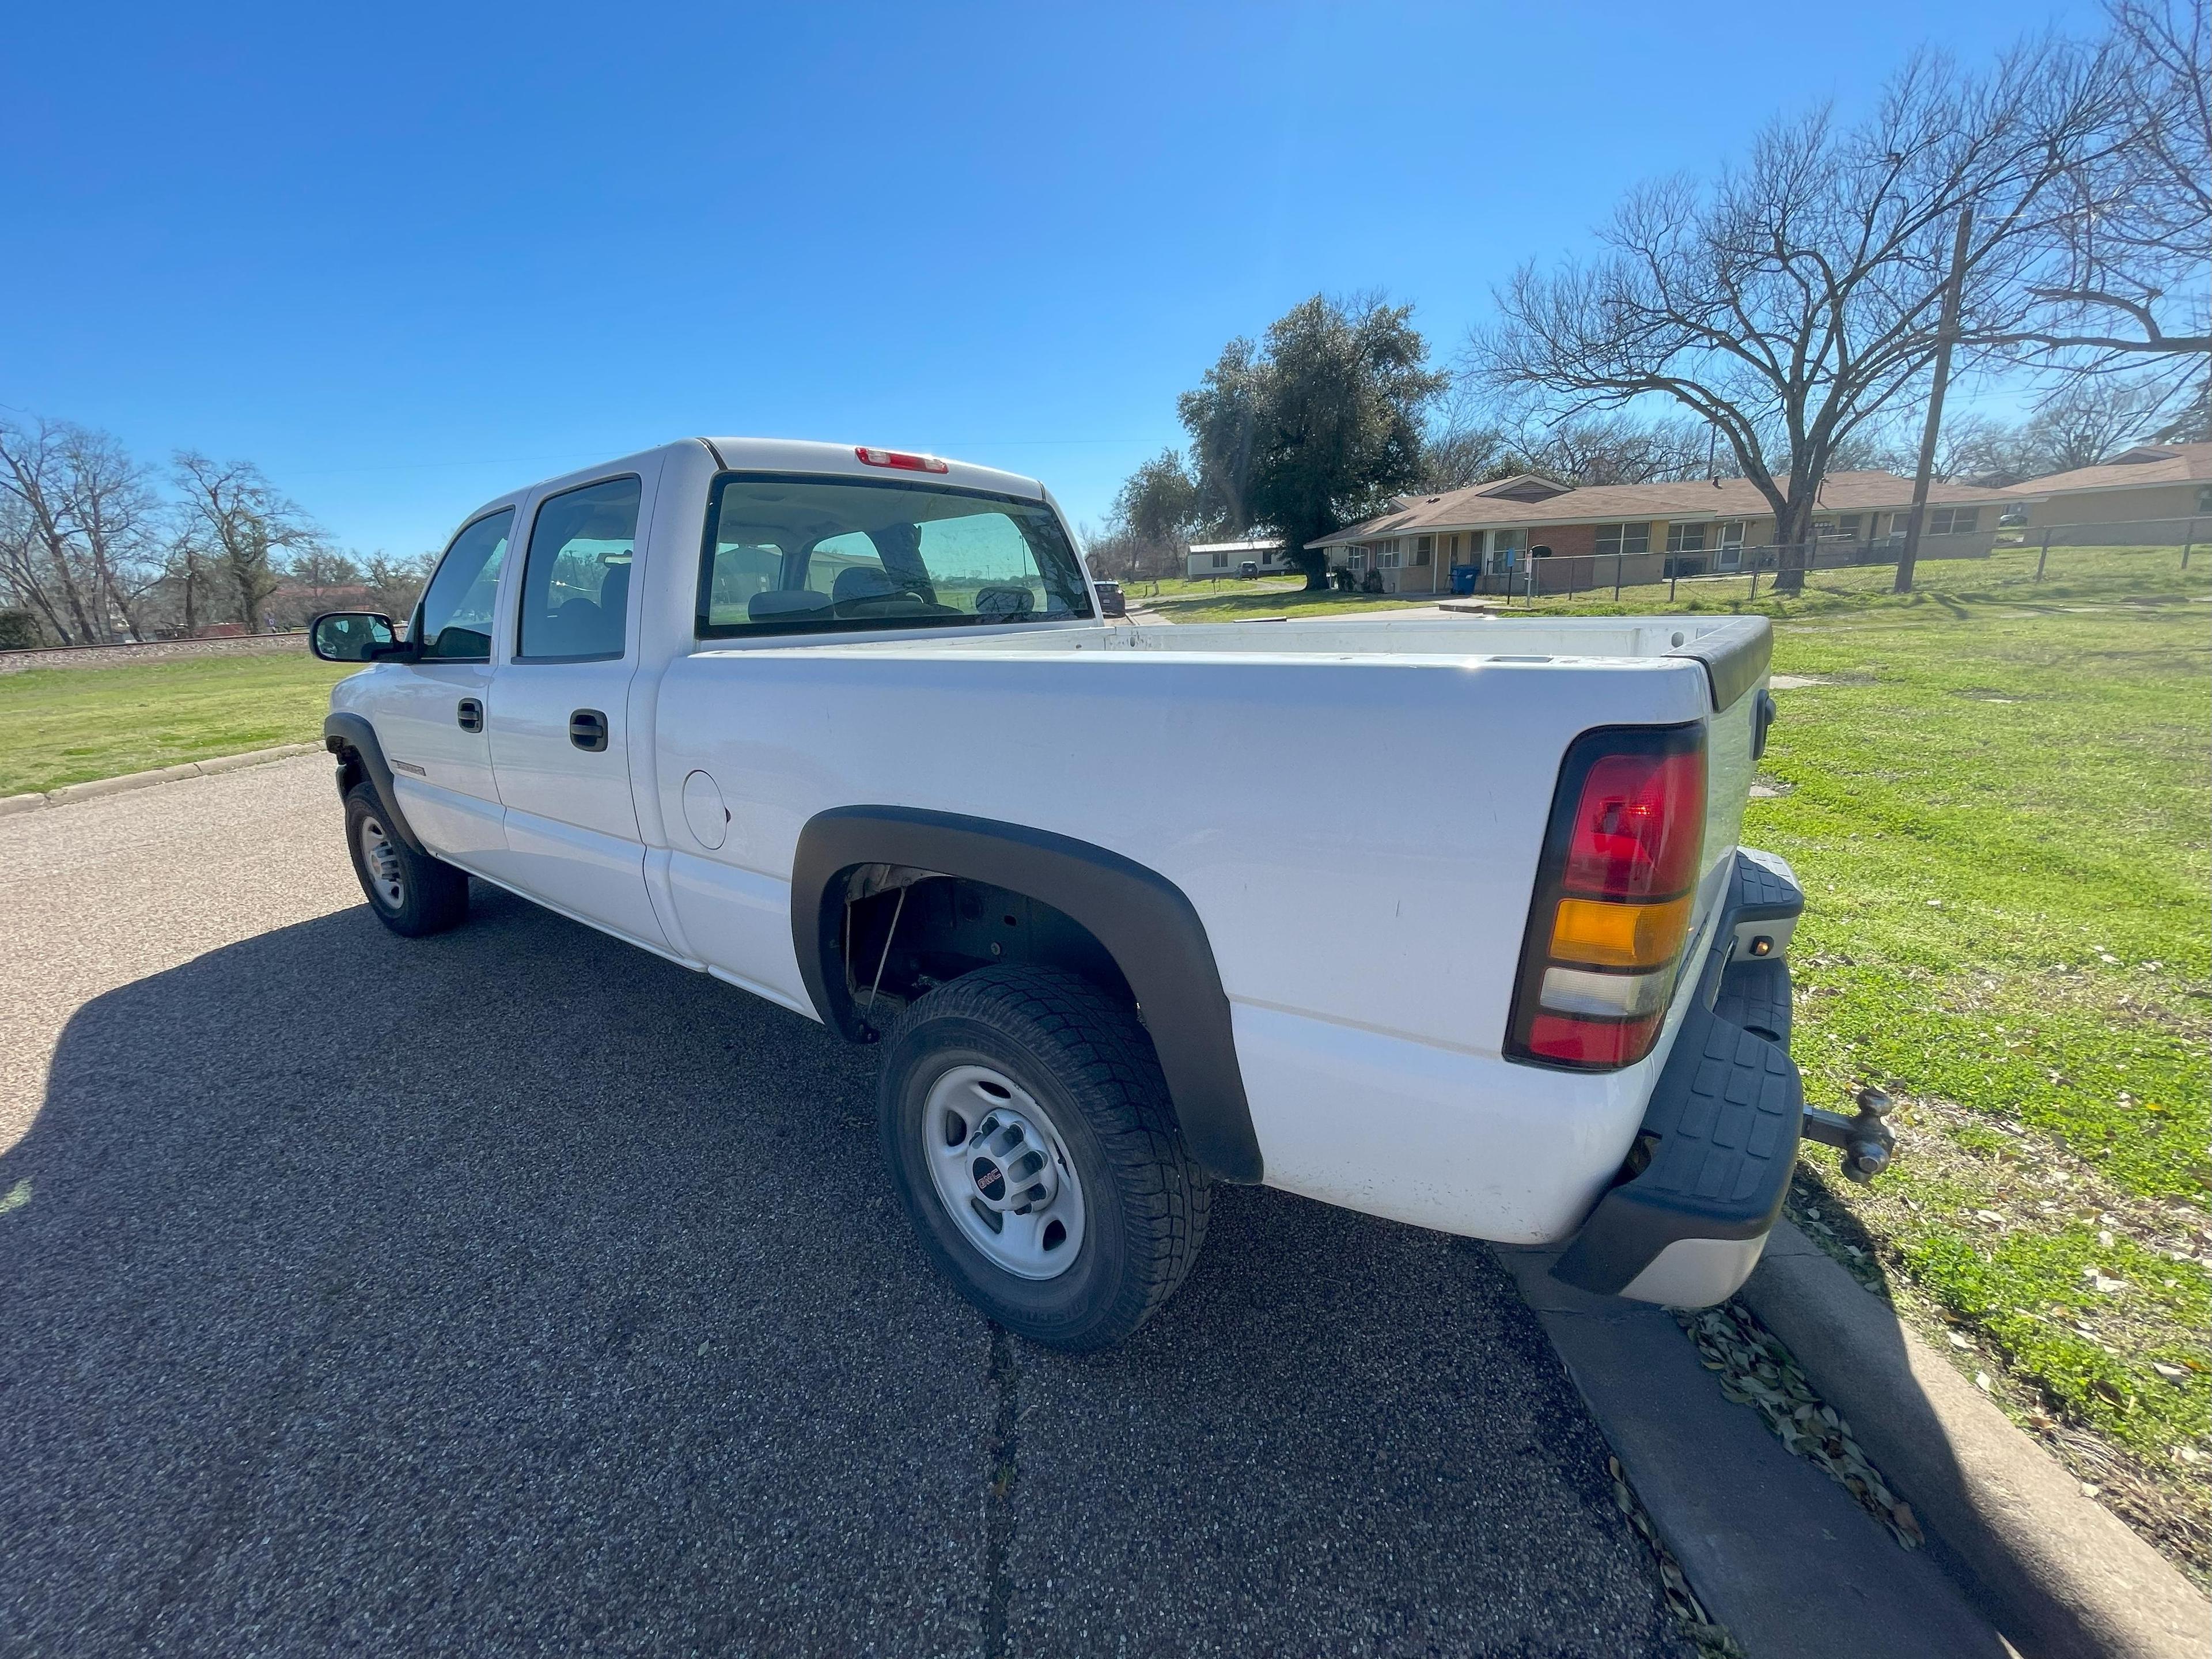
(1355, 808)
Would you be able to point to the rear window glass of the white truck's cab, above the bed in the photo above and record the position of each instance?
(817, 554)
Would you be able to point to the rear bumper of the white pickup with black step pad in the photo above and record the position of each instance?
(1687, 1220)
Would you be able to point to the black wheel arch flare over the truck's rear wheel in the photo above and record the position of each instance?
(1140, 917)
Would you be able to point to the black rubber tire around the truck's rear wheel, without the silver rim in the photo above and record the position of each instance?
(1089, 1065)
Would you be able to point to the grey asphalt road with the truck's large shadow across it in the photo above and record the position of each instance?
(521, 1293)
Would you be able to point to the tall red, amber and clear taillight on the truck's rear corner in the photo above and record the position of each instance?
(1614, 899)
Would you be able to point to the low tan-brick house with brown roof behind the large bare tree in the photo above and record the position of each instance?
(1700, 528)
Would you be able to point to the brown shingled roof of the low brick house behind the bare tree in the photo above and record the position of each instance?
(1479, 510)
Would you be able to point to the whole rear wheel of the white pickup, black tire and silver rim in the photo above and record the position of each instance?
(1034, 1145)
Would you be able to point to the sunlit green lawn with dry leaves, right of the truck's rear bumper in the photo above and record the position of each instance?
(2001, 826)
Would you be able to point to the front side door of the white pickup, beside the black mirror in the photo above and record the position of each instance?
(432, 720)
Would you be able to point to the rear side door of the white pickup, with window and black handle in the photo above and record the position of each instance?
(561, 733)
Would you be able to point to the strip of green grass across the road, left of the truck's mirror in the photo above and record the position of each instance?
(79, 724)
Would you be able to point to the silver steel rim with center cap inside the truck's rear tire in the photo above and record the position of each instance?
(1003, 1173)
